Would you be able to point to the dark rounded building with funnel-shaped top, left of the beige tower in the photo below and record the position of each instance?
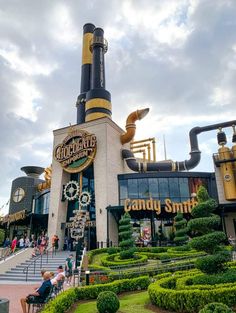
(29, 204)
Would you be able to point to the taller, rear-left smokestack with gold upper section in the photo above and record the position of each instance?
(85, 71)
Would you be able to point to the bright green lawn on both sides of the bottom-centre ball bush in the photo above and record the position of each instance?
(131, 303)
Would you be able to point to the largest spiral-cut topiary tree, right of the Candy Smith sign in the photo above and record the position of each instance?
(204, 229)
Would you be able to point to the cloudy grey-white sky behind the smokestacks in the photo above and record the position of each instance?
(177, 57)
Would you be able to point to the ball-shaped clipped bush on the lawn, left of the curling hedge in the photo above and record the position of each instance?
(108, 302)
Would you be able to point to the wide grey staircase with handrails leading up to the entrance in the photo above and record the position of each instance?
(49, 263)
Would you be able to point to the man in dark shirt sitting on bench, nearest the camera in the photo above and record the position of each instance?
(40, 294)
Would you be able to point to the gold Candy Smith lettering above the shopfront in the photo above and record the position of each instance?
(155, 205)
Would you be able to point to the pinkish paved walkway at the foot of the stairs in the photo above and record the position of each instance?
(14, 293)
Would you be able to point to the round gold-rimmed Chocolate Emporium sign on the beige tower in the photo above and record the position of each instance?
(77, 151)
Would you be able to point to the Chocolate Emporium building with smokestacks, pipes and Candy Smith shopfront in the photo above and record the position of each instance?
(99, 172)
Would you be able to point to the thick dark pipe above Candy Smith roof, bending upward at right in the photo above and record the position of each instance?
(195, 154)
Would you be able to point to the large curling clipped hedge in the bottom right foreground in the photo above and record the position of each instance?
(172, 293)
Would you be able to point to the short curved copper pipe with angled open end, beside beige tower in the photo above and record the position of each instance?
(130, 125)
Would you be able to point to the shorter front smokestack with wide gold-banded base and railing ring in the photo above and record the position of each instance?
(98, 99)
